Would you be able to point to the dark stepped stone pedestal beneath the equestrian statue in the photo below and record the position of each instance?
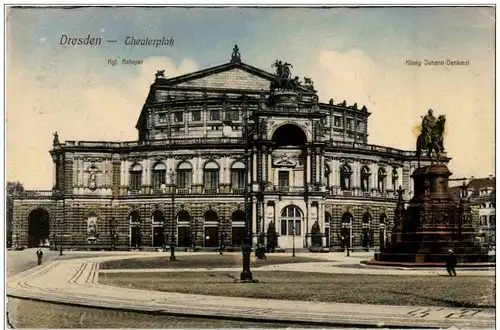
(433, 223)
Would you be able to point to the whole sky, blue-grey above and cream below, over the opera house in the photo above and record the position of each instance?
(350, 53)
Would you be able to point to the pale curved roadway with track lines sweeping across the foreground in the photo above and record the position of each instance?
(75, 282)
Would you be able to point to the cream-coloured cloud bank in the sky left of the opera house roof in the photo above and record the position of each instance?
(98, 111)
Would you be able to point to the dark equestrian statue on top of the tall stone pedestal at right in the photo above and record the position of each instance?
(431, 136)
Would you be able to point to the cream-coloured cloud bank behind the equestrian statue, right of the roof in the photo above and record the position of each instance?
(398, 95)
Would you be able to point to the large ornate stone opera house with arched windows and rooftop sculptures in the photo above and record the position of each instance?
(313, 176)
